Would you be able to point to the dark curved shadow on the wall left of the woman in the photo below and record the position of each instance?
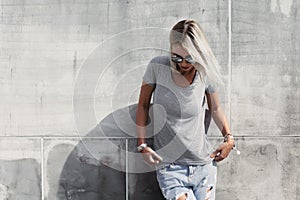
(96, 167)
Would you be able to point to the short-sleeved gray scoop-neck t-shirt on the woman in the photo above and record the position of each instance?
(178, 115)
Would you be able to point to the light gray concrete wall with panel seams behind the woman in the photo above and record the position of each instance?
(68, 66)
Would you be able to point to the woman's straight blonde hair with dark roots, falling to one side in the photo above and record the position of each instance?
(190, 36)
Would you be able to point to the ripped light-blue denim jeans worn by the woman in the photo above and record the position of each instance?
(198, 182)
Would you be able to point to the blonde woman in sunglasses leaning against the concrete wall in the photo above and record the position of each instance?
(179, 85)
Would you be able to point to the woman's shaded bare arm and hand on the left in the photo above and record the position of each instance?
(141, 122)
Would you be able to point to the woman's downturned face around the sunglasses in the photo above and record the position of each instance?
(184, 66)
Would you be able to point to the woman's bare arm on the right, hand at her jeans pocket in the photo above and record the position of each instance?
(220, 119)
